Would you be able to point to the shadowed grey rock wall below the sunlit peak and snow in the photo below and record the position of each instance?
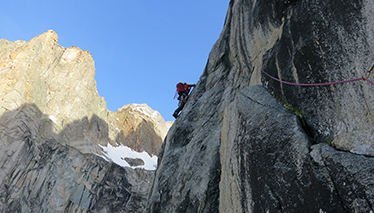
(39, 174)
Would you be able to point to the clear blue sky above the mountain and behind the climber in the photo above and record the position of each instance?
(141, 48)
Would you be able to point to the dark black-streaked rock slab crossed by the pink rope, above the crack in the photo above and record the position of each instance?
(332, 42)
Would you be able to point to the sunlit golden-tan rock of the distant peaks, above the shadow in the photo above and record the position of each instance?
(60, 81)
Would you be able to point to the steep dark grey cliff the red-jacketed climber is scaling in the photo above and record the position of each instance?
(248, 143)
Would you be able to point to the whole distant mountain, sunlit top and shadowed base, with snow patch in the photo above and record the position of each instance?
(59, 142)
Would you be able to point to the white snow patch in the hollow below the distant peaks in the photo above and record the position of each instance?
(119, 153)
